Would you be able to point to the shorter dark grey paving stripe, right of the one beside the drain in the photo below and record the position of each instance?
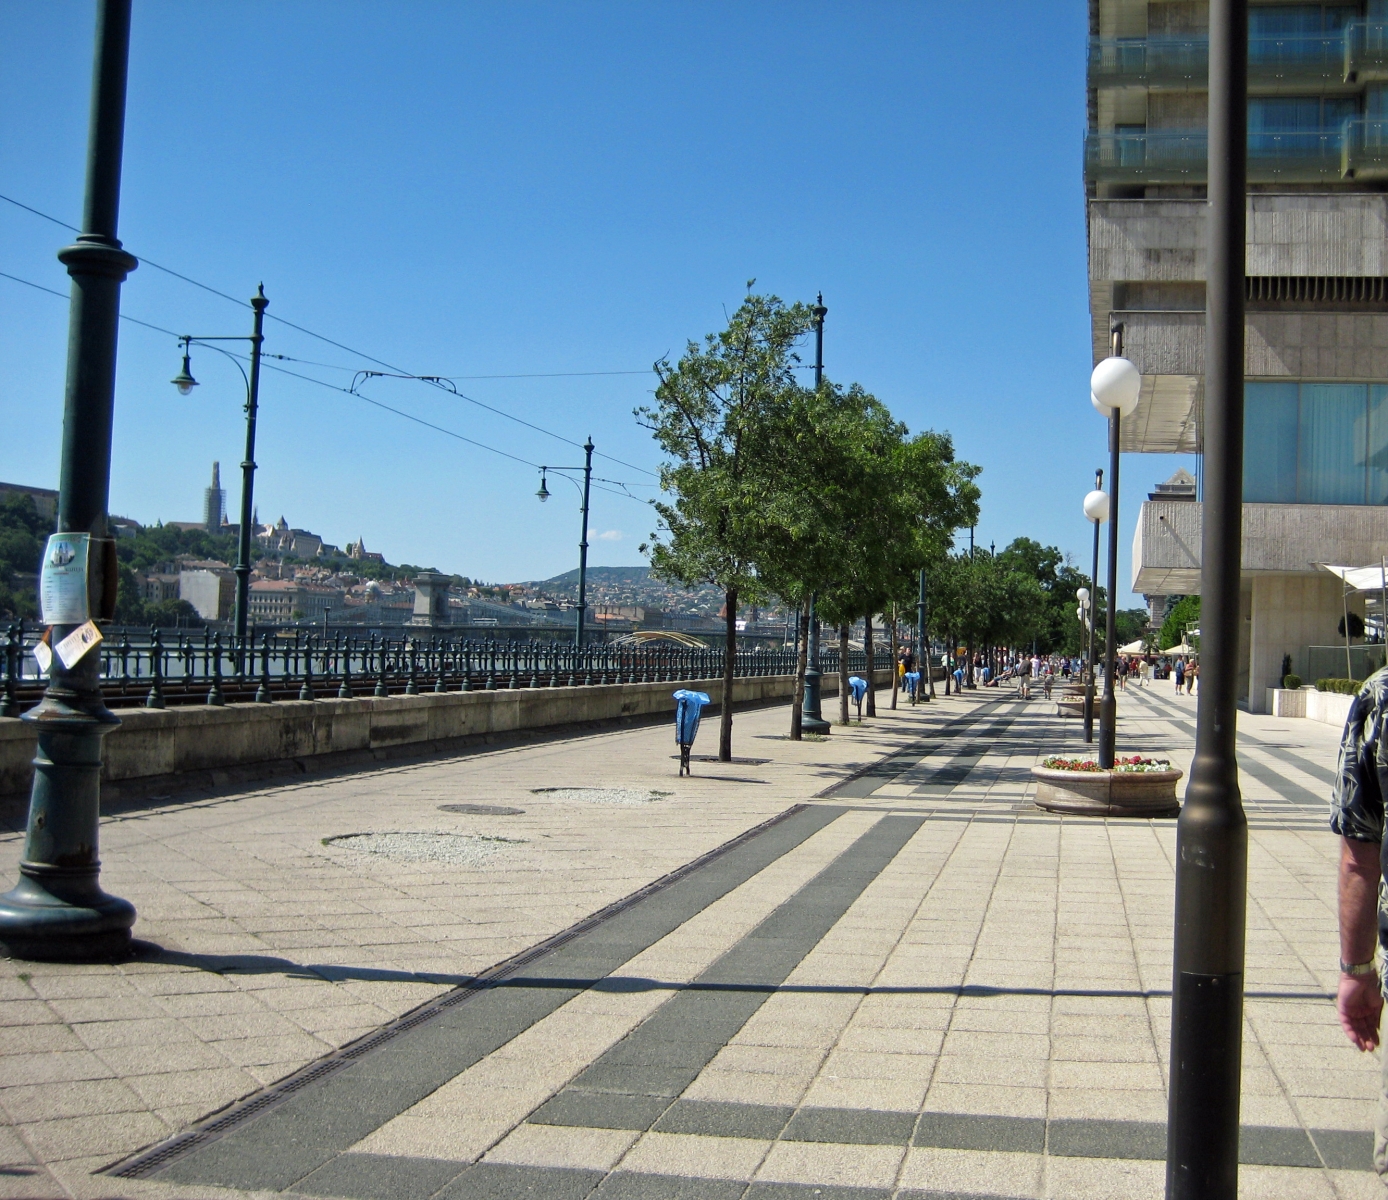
(657, 1058)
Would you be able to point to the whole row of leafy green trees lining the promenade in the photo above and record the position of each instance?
(778, 489)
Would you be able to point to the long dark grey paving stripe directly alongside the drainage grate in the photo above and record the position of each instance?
(287, 1142)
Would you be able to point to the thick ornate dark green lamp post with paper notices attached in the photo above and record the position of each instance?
(58, 911)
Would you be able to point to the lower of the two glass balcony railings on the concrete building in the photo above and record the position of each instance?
(1179, 156)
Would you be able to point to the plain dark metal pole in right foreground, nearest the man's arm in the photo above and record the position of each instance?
(1212, 833)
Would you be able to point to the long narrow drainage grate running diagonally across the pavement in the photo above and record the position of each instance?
(148, 1162)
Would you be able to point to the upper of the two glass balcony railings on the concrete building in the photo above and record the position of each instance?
(1301, 62)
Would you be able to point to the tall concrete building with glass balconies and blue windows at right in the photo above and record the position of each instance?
(1317, 364)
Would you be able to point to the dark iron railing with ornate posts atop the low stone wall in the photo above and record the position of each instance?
(160, 668)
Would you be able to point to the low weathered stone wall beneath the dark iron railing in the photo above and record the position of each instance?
(208, 742)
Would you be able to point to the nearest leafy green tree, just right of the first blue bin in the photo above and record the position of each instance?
(714, 417)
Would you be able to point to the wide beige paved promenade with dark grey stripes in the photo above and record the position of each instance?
(845, 969)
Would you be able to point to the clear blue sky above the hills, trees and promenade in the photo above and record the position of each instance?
(539, 188)
